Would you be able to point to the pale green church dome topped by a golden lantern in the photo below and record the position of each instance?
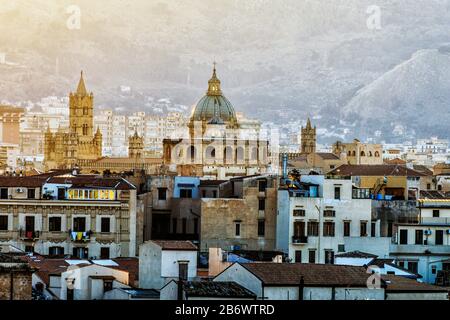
(214, 107)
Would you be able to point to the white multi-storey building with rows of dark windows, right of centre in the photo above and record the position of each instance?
(318, 216)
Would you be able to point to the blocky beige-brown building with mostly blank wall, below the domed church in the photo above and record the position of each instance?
(241, 214)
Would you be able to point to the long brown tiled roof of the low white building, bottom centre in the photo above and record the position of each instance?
(321, 275)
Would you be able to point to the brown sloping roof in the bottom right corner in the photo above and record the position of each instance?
(401, 284)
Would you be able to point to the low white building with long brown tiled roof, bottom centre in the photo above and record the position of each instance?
(294, 281)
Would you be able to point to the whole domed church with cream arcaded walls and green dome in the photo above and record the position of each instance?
(217, 146)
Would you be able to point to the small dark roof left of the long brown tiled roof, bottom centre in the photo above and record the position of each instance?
(216, 289)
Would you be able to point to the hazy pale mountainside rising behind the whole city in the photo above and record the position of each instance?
(291, 58)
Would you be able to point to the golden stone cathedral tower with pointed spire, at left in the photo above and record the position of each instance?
(63, 149)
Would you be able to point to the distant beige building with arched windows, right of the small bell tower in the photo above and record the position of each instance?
(359, 153)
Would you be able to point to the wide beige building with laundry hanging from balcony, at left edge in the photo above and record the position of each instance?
(63, 214)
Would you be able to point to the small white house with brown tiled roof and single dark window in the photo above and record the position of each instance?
(163, 261)
